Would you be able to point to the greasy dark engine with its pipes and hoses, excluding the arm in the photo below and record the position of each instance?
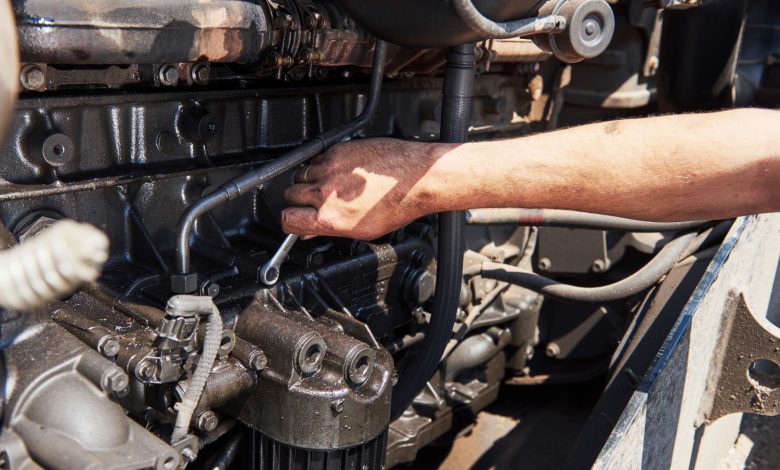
(174, 129)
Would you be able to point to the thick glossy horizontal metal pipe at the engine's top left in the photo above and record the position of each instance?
(119, 32)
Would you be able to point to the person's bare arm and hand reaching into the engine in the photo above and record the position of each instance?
(667, 168)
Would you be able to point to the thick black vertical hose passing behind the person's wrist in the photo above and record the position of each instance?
(456, 104)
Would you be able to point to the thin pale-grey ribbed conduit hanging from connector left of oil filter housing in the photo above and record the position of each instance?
(211, 341)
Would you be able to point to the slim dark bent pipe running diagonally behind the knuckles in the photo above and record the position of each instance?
(249, 181)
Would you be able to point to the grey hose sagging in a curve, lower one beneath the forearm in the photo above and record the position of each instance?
(633, 284)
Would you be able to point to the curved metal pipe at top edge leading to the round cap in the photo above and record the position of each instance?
(490, 29)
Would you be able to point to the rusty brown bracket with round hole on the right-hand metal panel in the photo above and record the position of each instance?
(747, 378)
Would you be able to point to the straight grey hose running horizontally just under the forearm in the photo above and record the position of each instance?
(571, 219)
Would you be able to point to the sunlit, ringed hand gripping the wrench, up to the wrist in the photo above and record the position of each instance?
(361, 189)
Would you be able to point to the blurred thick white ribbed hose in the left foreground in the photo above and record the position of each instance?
(51, 265)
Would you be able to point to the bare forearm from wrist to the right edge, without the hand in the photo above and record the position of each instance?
(694, 166)
